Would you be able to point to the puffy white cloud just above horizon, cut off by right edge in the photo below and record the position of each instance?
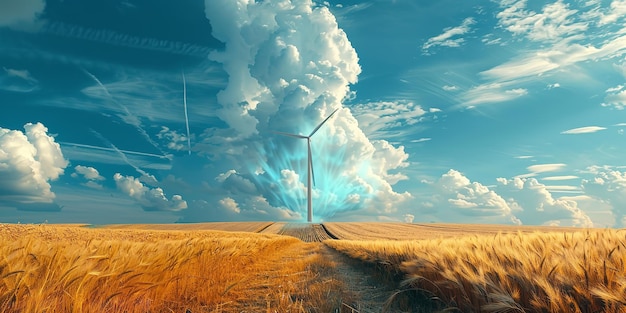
(609, 186)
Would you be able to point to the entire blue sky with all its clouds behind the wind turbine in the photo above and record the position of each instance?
(156, 112)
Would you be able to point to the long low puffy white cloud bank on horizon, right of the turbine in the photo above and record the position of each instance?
(511, 201)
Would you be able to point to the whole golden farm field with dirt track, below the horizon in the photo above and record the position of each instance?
(300, 267)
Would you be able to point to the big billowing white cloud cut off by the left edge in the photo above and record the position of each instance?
(29, 160)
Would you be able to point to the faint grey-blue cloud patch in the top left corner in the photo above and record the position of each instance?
(20, 14)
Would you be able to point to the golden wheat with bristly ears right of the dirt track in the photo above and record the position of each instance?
(540, 272)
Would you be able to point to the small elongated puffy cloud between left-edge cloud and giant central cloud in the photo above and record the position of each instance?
(150, 199)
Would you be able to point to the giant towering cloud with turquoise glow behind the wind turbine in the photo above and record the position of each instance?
(290, 66)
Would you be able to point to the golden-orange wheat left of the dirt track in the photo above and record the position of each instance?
(45, 268)
